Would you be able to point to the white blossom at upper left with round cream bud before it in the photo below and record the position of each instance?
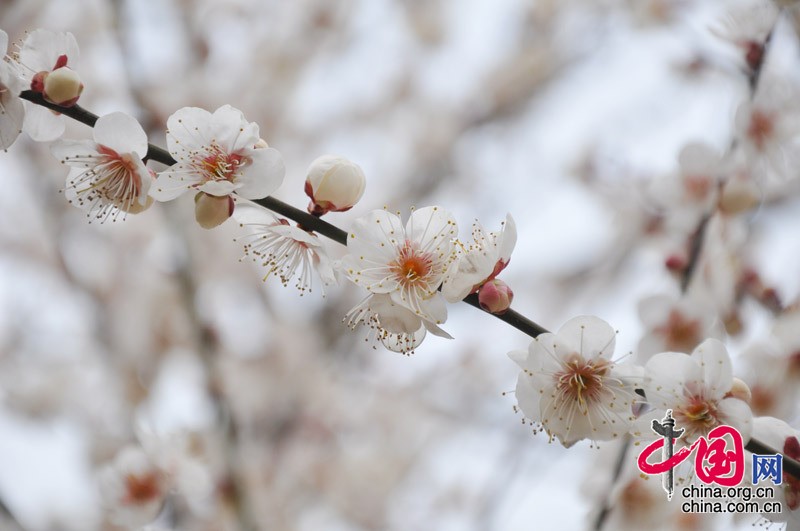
(42, 53)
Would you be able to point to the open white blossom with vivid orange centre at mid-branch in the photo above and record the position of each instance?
(408, 264)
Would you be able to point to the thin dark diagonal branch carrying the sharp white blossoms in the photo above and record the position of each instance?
(314, 223)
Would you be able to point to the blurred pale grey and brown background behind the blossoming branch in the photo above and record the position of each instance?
(559, 112)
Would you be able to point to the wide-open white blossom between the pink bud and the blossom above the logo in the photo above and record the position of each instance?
(570, 385)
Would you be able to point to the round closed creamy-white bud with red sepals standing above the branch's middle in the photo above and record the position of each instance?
(334, 184)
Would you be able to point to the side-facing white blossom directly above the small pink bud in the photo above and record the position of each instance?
(481, 261)
